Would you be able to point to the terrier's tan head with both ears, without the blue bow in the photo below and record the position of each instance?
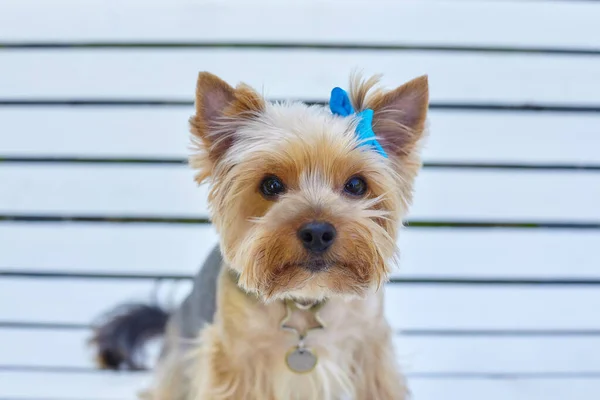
(303, 210)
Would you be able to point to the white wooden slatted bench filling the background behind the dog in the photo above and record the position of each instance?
(499, 288)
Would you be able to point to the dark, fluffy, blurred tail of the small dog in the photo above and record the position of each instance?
(120, 335)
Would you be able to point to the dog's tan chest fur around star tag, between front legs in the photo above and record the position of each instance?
(254, 341)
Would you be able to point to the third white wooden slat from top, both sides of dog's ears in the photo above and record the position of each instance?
(456, 136)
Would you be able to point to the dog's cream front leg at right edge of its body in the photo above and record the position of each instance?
(378, 376)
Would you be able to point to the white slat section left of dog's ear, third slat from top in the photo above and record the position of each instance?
(96, 132)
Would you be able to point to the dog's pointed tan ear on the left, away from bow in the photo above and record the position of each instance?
(220, 109)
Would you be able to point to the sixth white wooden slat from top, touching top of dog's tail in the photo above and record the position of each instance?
(407, 307)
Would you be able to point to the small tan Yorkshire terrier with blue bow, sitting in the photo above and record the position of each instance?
(308, 202)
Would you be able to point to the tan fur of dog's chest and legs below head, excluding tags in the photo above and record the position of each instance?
(355, 362)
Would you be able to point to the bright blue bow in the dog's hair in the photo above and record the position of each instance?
(339, 104)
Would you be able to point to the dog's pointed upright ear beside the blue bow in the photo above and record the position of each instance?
(400, 115)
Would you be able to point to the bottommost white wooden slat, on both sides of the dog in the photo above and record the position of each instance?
(125, 386)
